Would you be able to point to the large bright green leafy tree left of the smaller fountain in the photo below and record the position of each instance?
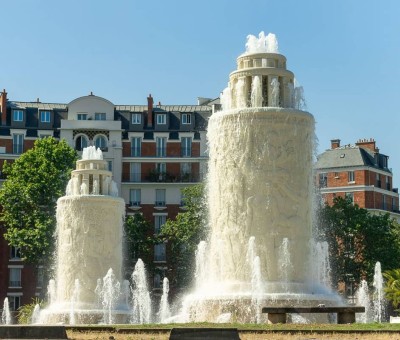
(28, 196)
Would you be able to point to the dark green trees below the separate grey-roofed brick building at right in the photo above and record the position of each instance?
(357, 240)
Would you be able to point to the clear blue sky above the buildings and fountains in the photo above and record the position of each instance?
(345, 53)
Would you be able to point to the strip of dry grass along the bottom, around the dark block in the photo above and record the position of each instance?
(246, 331)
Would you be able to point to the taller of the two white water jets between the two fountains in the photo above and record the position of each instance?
(141, 303)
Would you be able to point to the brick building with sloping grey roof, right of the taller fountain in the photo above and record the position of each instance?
(359, 172)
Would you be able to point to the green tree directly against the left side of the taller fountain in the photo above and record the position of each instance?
(184, 234)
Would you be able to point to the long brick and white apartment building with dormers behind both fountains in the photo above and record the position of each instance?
(153, 151)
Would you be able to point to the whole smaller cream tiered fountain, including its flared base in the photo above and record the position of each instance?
(89, 247)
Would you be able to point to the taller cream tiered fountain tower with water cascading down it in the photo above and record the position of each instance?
(260, 195)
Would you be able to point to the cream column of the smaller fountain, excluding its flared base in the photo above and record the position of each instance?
(89, 234)
